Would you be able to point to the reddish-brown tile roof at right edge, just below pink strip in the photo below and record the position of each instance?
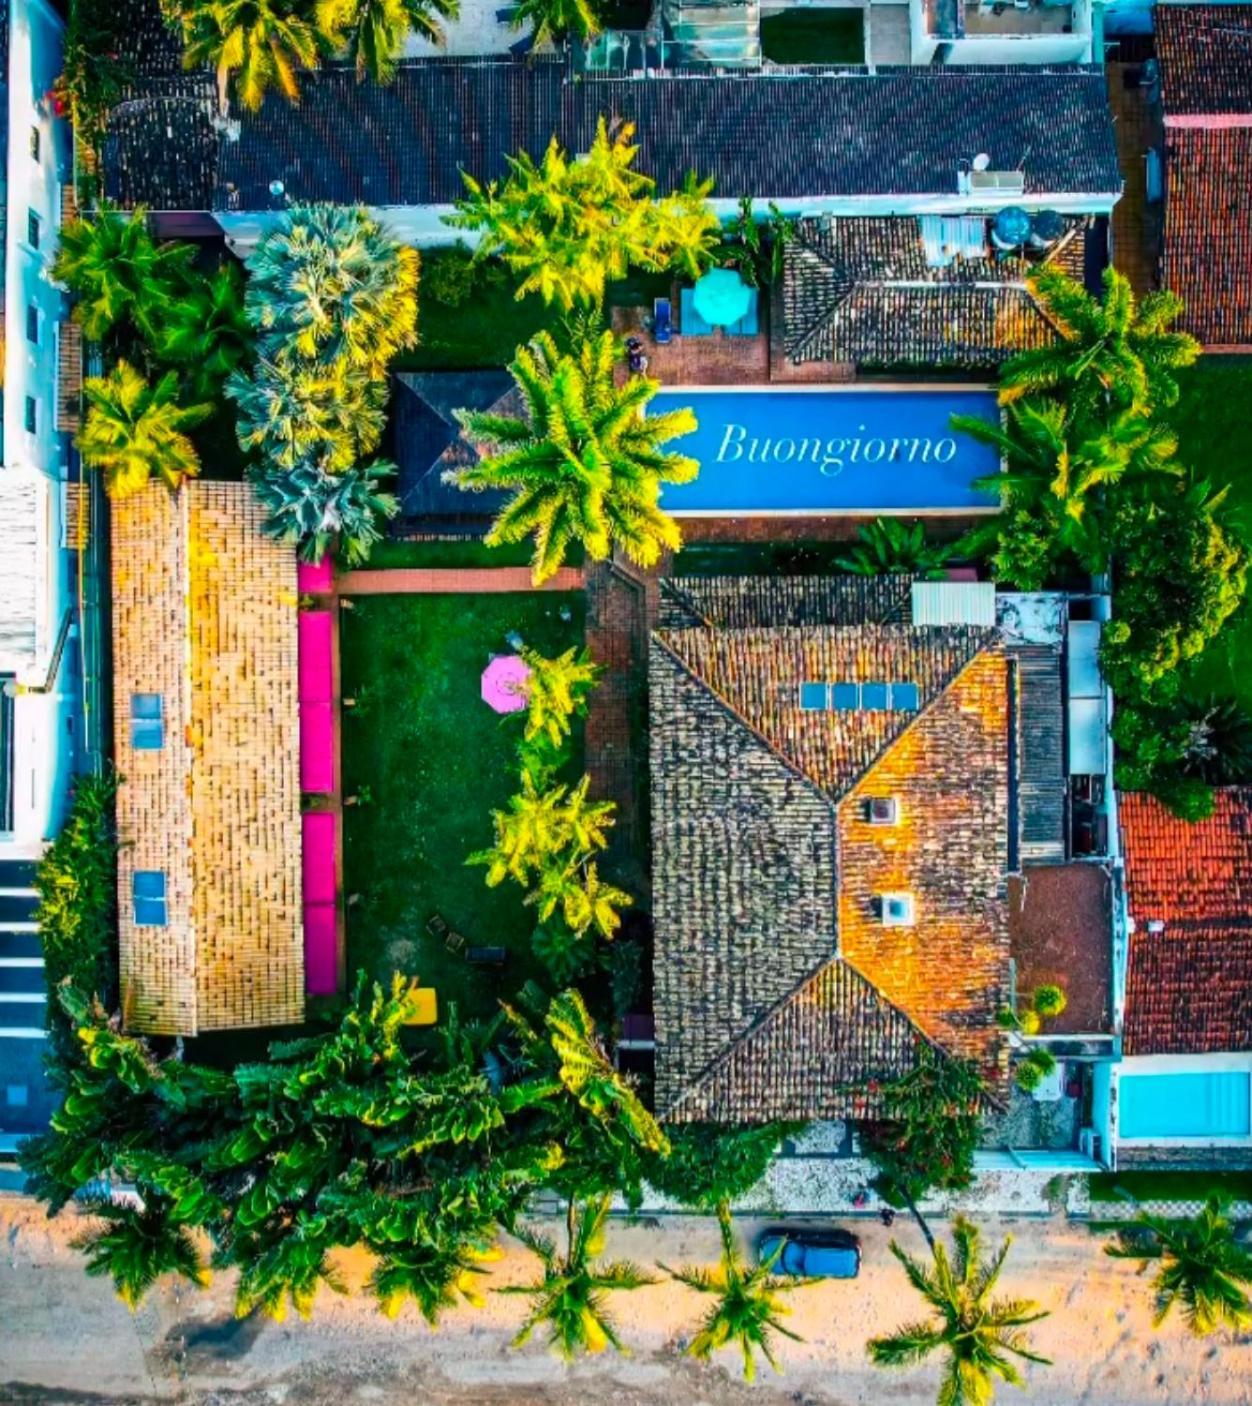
(1209, 230)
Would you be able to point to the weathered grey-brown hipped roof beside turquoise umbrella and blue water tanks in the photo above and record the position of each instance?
(860, 290)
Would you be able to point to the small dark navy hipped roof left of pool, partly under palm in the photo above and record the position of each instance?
(427, 439)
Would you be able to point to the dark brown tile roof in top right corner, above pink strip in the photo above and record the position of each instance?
(1206, 58)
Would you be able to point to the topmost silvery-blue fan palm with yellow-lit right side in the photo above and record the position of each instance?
(328, 283)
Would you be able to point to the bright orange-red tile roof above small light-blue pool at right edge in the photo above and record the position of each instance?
(1189, 986)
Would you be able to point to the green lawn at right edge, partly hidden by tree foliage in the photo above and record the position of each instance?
(1216, 439)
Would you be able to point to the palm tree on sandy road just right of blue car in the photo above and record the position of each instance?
(971, 1328)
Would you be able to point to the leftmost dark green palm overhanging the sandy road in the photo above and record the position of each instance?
(139, 1246)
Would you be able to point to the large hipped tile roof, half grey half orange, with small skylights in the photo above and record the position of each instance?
(779, 993)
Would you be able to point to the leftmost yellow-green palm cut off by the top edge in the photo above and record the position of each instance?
(255, 46)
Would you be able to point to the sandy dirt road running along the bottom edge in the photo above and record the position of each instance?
(65, 1341)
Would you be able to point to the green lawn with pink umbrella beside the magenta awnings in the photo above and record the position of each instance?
(434, 761)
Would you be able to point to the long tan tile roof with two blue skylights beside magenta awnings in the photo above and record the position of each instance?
(205, 615)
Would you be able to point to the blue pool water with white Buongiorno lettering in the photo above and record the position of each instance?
(831, 451)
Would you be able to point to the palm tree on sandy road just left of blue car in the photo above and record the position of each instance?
(749, 1304)
